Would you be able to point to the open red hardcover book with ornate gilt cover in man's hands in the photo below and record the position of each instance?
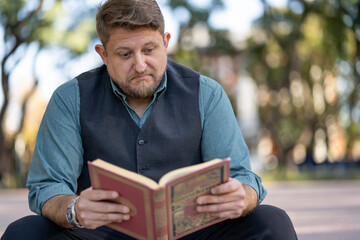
(164, 210)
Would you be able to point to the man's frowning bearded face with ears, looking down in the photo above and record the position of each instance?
(136, 60)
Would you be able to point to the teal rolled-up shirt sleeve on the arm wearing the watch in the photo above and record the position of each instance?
(57, 159)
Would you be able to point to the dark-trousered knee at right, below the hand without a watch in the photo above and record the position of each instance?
(274, 223)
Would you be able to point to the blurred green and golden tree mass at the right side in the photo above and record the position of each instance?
(305, 59)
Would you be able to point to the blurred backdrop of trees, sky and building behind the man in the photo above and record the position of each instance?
(291, 69)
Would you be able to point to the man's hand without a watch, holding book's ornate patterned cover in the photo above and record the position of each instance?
(229, 200)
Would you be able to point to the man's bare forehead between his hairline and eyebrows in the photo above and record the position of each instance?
(123, 37)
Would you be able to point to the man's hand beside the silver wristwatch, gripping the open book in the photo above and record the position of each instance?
(94, 208)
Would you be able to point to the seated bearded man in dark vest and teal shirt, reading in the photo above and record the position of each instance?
(146, 114)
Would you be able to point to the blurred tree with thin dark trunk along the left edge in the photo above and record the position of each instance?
(44, 24)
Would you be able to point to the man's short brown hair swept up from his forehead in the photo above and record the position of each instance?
(130, 14)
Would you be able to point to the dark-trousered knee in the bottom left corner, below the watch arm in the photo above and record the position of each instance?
(31, 227)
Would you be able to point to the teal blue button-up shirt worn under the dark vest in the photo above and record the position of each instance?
(58, 155)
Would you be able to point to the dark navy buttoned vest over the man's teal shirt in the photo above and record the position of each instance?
(169, 139)
